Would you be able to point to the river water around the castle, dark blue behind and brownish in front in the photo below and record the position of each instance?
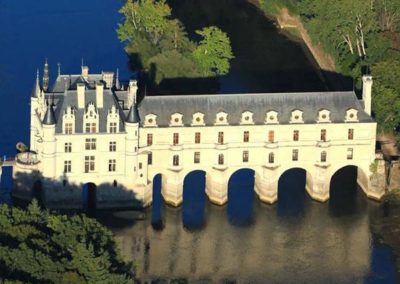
(295, 240)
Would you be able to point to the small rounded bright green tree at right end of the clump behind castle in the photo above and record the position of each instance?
(213, 52)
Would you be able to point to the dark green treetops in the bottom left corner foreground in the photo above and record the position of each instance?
(39, 247)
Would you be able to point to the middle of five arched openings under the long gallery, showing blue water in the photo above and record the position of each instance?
(241, 197)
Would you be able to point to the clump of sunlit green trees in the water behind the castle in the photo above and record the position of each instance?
(162, 45)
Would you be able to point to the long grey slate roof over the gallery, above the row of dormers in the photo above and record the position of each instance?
(259, 104)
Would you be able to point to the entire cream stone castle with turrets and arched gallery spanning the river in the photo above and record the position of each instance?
(90, 129)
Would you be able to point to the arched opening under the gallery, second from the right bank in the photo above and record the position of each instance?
(292, 191)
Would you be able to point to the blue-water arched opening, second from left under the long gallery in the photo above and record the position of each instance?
(194, 199)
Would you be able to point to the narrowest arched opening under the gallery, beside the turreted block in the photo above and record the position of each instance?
(157, 204)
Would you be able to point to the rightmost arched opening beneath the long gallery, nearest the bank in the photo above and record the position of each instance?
(345, 194)
